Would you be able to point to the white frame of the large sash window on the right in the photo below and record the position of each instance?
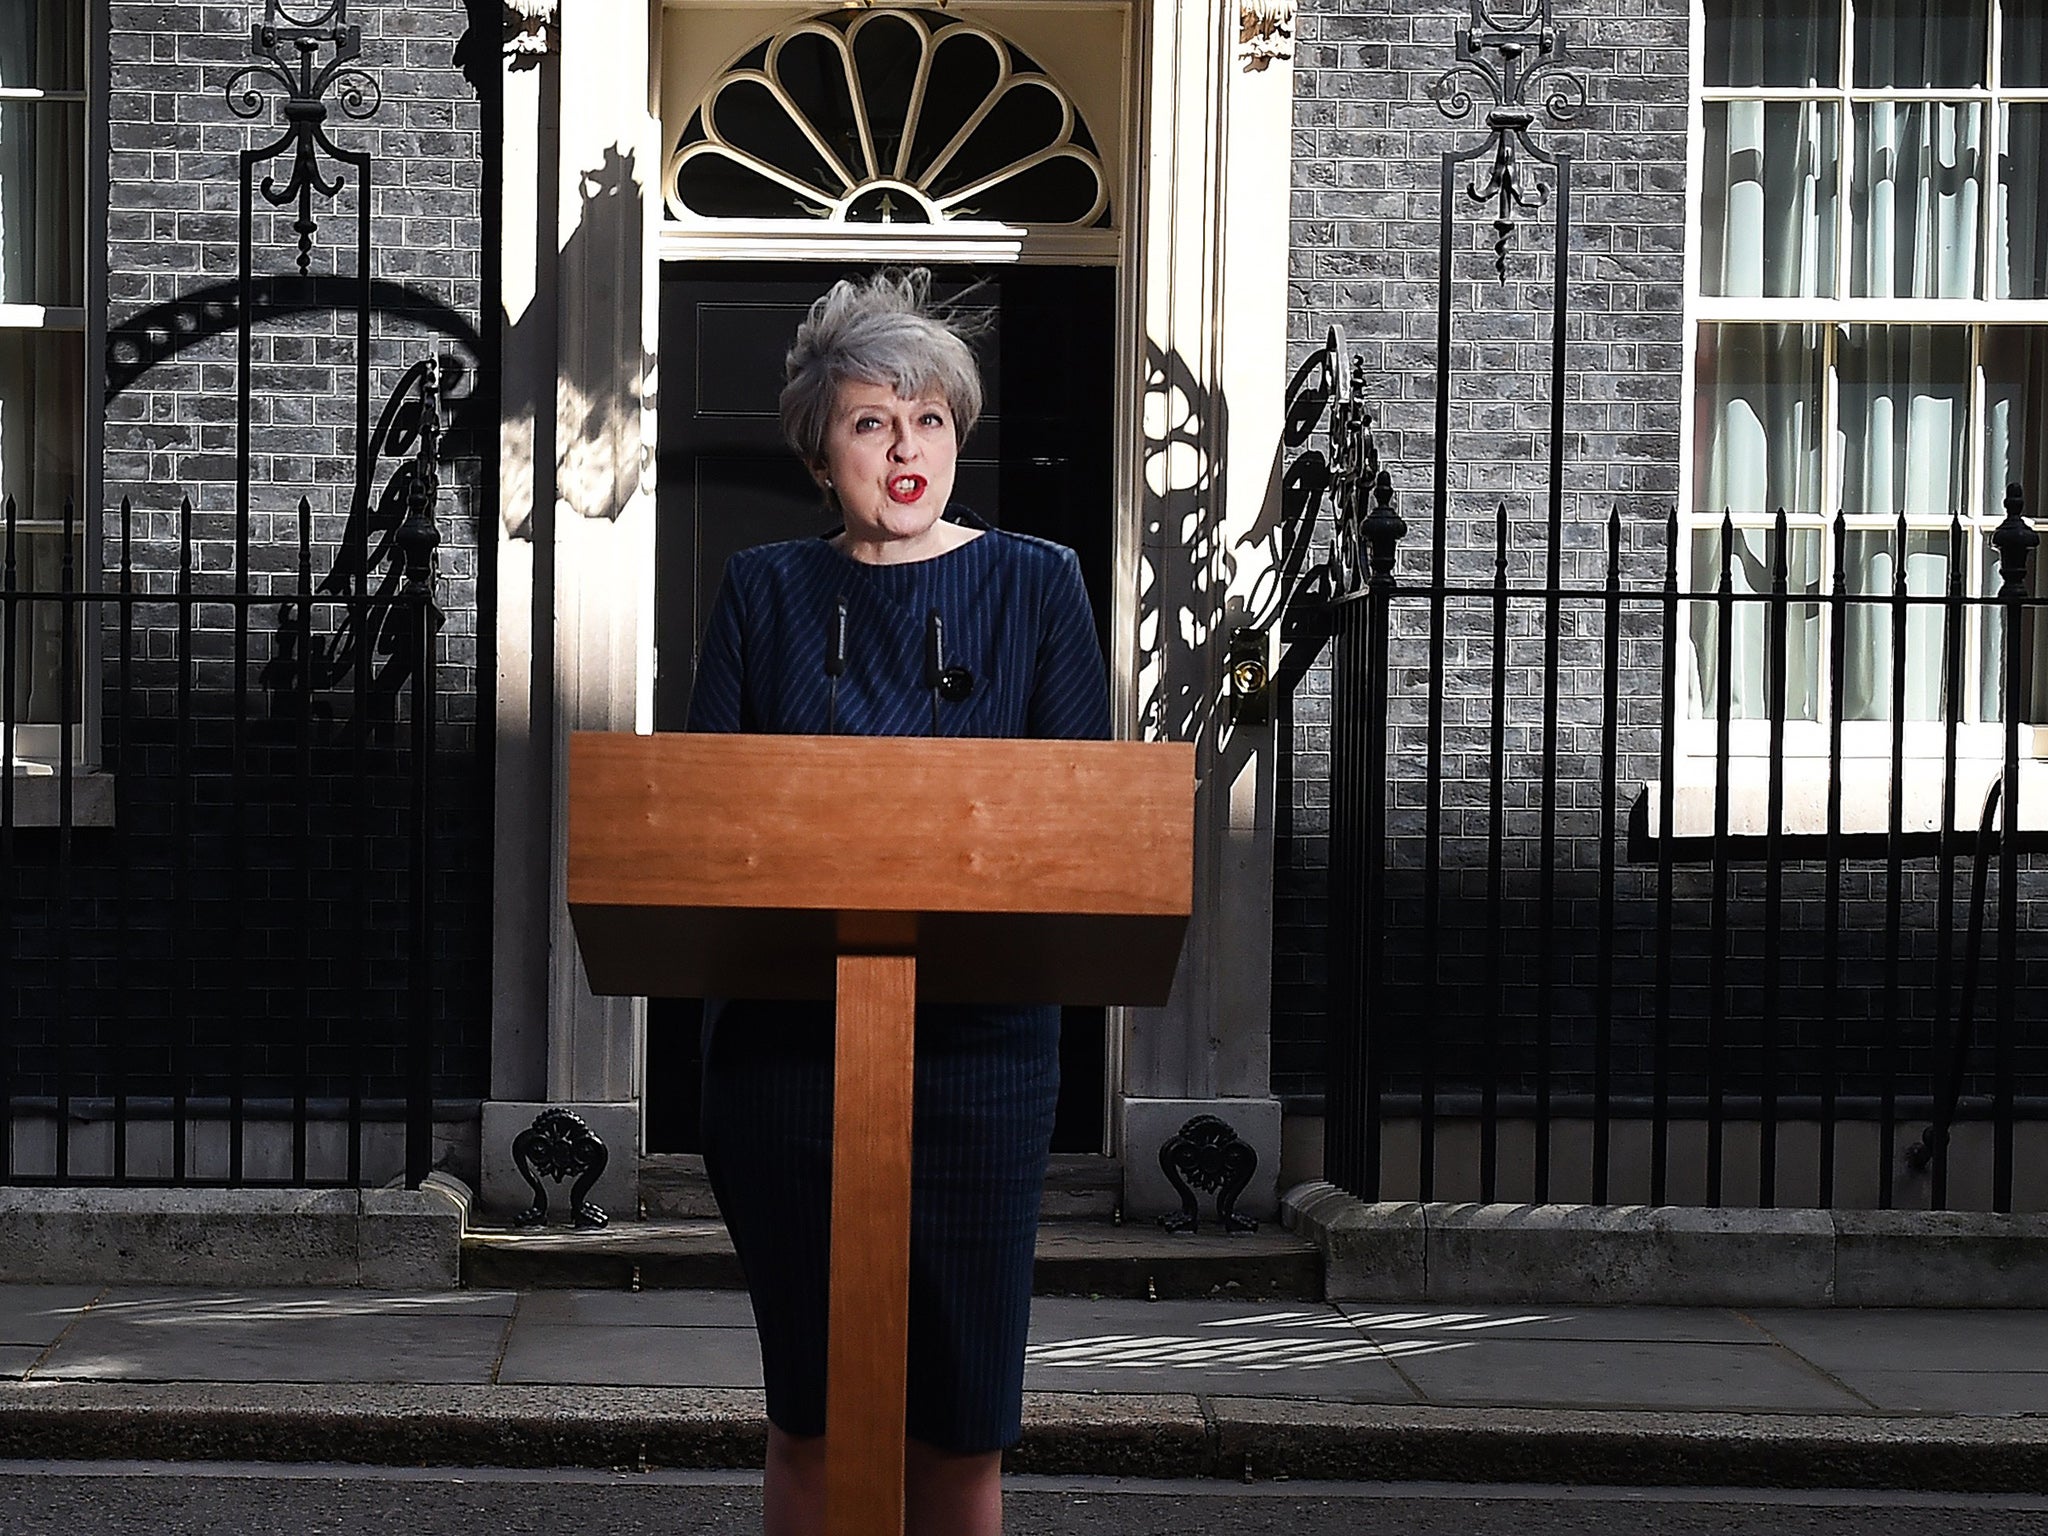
(1861, 740)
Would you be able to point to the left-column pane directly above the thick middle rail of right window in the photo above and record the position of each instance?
(1770, 202)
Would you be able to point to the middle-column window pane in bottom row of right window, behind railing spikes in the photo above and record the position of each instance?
(1873, 572)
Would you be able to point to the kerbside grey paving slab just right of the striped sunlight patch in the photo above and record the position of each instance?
(1619, 1375)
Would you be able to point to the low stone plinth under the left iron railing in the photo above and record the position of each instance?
(384, 1240)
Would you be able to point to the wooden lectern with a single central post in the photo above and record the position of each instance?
(878, 871)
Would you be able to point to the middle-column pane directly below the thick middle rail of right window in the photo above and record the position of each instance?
(1906, 402)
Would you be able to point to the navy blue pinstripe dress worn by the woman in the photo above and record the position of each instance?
(986, 1078)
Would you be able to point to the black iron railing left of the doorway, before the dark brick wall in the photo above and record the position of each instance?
(218, 867)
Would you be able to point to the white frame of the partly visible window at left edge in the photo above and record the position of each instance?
(38, 749)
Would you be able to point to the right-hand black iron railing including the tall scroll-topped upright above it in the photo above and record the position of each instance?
(1619, 984)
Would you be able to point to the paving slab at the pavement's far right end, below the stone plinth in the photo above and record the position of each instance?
(1916, 1340)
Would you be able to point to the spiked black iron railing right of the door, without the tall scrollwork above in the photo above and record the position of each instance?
(1537, 931)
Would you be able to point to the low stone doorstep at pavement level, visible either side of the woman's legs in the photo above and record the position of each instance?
(1076, 1258)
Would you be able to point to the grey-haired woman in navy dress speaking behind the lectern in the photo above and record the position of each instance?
(914, 617)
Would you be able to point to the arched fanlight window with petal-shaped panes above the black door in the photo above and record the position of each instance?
(888, 116)
